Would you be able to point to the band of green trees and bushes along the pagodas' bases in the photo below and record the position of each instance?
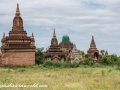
(111, 60)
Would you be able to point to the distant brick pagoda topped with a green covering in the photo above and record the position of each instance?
(66, 45)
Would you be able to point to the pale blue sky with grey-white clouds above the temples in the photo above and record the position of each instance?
(79, 19)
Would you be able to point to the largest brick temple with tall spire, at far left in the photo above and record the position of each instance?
(17, 49)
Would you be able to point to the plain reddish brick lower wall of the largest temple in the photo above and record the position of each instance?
(18, 58)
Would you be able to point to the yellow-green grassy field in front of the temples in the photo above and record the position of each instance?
(81, 78)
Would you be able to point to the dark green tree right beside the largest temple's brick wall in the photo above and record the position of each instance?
(39, 56)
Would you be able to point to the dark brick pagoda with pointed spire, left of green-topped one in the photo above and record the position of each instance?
(54, 53)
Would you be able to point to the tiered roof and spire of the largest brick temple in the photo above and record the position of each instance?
(17, 38)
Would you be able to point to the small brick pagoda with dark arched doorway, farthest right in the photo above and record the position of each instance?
(93, 52)
